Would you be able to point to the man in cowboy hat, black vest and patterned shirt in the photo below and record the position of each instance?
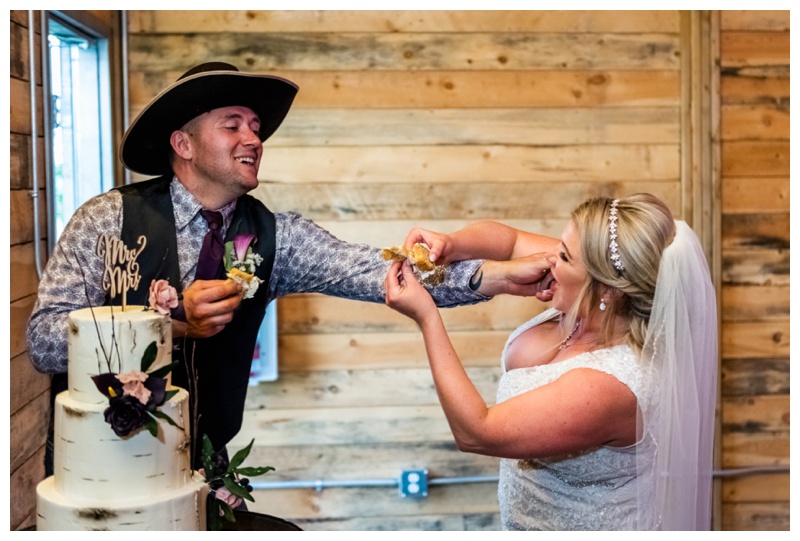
(201, 138)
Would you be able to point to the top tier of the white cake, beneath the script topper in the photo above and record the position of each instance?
(123, 343)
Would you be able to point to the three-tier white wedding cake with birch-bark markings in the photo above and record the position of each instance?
(101, 480)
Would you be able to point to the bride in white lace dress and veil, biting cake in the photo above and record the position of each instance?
(604, 412)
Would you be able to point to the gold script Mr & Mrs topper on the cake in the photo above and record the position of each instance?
(121, 271)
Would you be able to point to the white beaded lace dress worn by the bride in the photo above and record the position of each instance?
(592, 490)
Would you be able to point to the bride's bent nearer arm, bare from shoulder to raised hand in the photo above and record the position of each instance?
(582, 409)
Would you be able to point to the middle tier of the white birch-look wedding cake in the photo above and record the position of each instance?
(93, 464)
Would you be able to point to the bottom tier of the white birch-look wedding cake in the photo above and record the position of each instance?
(180, 509)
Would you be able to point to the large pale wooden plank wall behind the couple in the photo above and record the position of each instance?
(430, 118)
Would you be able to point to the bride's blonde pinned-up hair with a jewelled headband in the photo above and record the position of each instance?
(645, 227)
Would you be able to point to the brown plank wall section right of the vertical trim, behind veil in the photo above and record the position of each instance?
(754, 116)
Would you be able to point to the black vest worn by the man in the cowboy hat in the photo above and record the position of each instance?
(214, 370)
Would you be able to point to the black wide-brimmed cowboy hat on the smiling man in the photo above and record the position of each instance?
(145, 146)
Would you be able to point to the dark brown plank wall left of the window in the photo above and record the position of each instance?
(29, 390)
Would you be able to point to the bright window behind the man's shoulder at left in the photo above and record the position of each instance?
(78, 117)
